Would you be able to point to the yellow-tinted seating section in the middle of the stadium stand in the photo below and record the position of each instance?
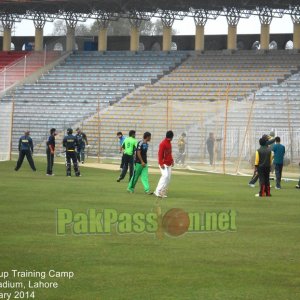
(192, 98)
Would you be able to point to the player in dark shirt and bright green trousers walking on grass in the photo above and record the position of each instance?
(141, 165)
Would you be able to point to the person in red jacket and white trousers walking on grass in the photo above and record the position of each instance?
(166, 162)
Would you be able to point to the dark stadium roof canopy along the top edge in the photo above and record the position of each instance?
(121, 6)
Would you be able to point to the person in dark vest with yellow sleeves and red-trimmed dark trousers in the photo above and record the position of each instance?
(263, 162)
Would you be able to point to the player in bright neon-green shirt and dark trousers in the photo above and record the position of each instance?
(129, 147)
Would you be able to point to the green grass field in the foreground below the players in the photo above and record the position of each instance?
(260, 260)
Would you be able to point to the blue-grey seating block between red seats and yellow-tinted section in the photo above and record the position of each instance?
(71, 92)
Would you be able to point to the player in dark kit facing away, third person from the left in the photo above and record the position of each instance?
(70, 143)
